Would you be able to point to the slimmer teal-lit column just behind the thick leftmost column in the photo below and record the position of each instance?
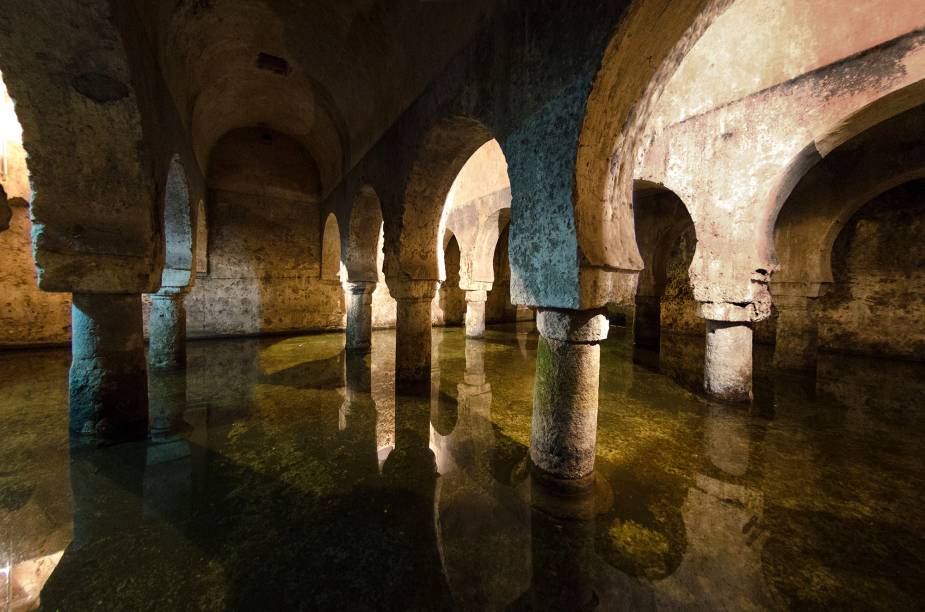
(167, 328)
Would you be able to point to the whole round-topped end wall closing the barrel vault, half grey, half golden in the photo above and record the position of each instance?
(261, 183)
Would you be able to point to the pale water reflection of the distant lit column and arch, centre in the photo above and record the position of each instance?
(483, 522)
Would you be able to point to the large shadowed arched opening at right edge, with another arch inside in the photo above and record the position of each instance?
(836, 289)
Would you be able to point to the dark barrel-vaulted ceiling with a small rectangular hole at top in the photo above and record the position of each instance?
(332, 75)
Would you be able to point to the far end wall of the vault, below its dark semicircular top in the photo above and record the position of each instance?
(264, 270)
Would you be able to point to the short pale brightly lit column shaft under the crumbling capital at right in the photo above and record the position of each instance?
(727, 368)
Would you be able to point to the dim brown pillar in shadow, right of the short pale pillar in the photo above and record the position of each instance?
(797, 333)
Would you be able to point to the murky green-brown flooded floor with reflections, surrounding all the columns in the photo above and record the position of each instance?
(303, 481)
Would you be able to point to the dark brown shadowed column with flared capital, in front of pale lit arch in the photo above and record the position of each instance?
(412, 330)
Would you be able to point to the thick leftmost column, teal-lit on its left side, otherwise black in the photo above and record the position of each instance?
(108, 384)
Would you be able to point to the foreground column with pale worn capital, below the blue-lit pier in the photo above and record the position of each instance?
(564, 430)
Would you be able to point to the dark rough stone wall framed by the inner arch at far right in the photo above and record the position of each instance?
(877, 303)
